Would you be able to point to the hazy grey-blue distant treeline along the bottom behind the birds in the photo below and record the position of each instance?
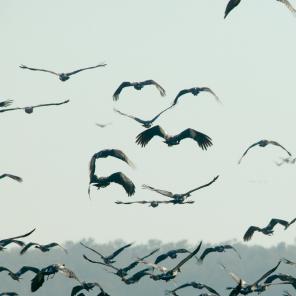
(255, 261)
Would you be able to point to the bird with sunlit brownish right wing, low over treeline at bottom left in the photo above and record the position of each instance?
(52, 269)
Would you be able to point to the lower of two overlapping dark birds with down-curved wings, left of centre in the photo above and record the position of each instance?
(118, 177)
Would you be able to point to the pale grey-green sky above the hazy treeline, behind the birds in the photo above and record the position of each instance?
(247, 59)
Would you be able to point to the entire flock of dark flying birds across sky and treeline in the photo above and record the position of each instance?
(152, 269)
